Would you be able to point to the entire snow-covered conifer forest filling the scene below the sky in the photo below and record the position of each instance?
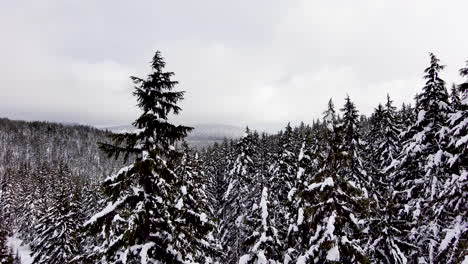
(348, 188)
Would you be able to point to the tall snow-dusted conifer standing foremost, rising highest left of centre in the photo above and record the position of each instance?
(139, 223)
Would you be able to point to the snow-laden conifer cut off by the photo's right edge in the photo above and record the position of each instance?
(452, 206)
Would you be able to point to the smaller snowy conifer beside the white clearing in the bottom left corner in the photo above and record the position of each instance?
(57, 230)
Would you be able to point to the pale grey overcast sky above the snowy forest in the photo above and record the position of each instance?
(241, 62)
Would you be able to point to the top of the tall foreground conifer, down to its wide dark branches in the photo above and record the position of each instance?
(157, 100)
